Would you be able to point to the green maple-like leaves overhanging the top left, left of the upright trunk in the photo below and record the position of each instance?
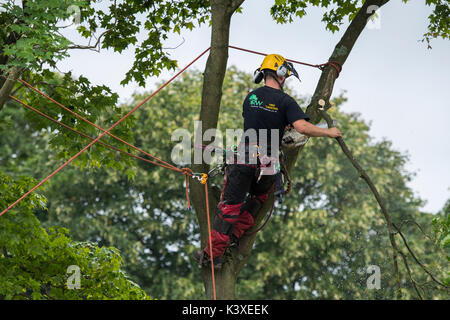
(38, 27)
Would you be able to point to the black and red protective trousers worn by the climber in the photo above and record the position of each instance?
(237, 210)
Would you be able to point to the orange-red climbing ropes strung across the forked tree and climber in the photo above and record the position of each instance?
(187, 172)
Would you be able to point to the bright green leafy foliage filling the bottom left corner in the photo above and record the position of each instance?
(34, 262)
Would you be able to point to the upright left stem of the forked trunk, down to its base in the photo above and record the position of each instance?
(221, 13)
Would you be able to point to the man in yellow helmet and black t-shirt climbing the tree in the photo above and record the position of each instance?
(269, 108)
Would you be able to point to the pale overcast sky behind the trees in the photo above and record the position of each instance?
(391, 79)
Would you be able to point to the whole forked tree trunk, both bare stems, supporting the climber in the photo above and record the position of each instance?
(226, 278)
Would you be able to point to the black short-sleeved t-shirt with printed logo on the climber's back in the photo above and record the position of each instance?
(269, 108)
